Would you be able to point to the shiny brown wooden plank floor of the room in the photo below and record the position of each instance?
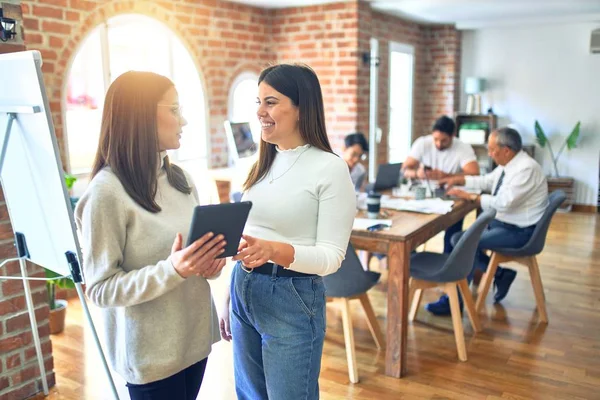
(513, 358)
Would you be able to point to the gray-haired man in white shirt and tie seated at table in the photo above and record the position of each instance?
(519, 194)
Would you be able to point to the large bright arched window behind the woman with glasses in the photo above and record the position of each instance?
(124, 43)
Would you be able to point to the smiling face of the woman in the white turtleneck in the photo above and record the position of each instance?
(278, 117)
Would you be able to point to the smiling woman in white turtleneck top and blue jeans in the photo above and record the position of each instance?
(298, 231)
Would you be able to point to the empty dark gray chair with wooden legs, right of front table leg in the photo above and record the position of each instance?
(449, 271)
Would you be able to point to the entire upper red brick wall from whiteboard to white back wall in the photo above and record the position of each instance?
(226, 38)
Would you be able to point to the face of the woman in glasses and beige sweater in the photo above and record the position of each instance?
(169, 122)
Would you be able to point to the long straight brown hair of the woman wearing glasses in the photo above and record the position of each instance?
(129, 139)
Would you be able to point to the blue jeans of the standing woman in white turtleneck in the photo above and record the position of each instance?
(278, 328)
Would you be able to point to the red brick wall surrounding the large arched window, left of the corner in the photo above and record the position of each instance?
(221, 37)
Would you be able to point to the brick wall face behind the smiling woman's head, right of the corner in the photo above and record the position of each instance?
(326, 38)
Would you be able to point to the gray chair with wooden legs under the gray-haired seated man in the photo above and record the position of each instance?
(526, 255)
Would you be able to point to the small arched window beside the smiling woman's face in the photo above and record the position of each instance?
(242, 102)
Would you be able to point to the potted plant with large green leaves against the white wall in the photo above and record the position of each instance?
(556, 181)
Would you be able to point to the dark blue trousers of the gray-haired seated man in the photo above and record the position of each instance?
(498, 235)
